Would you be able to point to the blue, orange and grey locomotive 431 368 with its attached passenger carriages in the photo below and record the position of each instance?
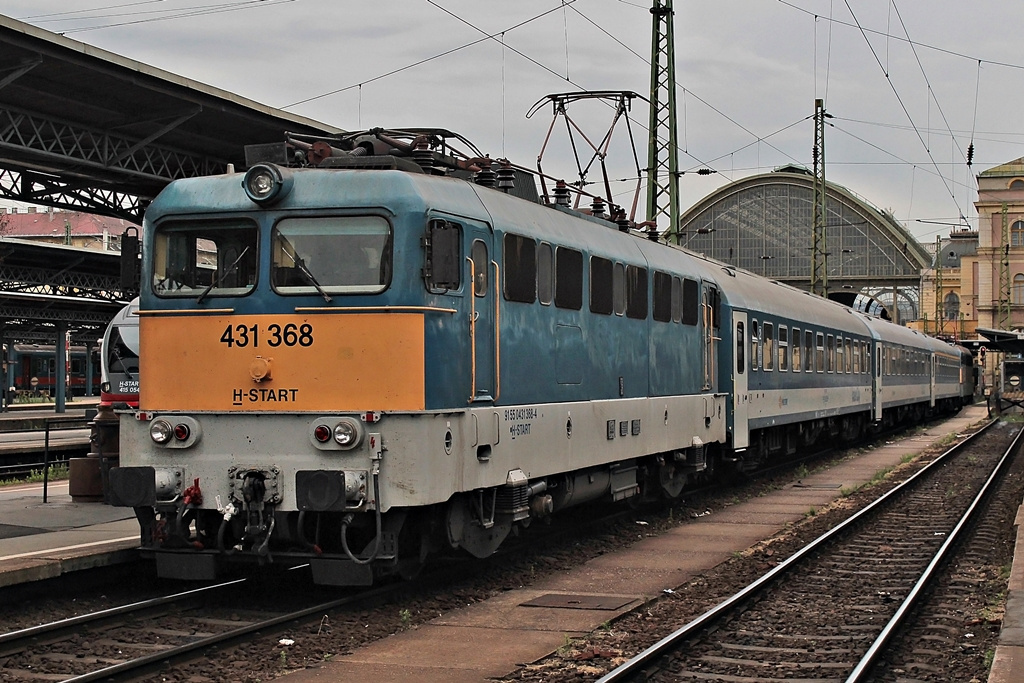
(395, 349)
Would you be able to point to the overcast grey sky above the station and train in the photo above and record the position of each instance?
(910, 84)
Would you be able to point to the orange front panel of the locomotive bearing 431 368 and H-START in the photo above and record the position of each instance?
(288, 363)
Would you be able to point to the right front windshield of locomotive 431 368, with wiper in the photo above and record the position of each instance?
(331, 254)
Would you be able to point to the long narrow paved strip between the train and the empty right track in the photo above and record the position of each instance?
(489, 641)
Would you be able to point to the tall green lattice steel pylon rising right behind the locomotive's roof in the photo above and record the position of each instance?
(663, 162)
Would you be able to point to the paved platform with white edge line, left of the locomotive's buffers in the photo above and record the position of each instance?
(46, 540)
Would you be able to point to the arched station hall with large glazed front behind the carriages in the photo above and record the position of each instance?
(764, 224)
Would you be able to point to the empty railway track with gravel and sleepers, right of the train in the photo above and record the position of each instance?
(830, 612)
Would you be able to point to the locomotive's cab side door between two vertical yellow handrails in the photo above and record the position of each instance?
(483, 317)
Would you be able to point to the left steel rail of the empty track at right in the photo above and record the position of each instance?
(634, 666)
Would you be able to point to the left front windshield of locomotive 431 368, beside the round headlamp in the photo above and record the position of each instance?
(202, 259)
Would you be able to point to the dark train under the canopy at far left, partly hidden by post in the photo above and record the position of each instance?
(38, 362)
